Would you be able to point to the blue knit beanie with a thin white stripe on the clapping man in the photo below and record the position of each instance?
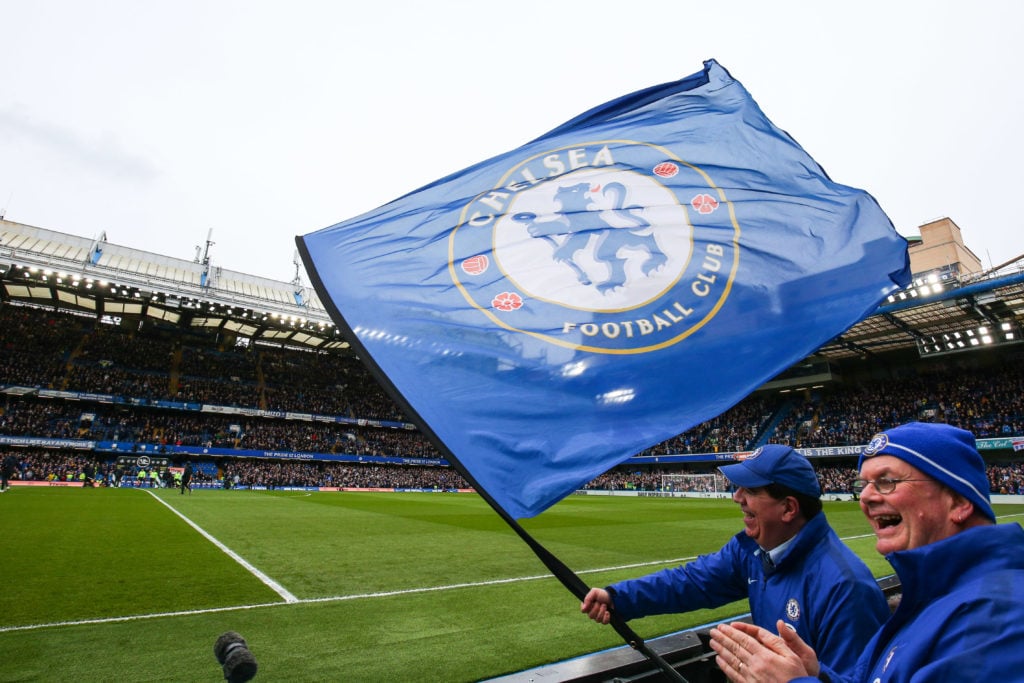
(943, 452)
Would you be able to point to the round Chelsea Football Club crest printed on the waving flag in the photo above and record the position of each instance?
(610, 247)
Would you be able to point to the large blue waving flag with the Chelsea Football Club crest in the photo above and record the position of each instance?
(549, 313)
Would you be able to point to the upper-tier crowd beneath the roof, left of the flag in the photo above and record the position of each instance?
(52, 351)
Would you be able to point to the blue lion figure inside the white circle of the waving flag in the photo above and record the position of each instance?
(578, 223)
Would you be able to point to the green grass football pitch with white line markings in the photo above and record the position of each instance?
(125, 585)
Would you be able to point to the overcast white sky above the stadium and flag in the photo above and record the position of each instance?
(159, 121)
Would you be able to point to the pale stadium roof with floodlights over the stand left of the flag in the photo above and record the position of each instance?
(65, 272)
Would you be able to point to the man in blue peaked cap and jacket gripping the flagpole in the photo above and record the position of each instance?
(788, 562)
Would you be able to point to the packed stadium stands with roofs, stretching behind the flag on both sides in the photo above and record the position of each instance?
(111, 358)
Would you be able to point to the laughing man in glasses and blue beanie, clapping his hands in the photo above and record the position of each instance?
(962, 615)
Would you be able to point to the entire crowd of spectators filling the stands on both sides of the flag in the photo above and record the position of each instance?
(143, 363)
